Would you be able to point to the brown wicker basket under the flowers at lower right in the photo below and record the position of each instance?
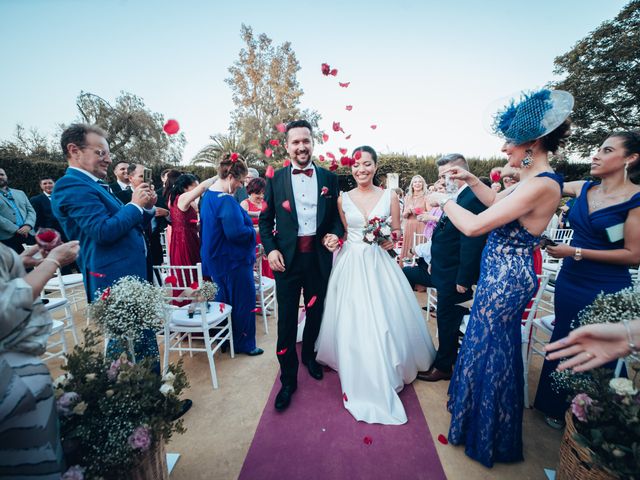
(575, 460)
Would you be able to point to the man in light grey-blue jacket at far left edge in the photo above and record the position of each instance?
(17, 216)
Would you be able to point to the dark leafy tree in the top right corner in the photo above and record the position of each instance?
(603, 74)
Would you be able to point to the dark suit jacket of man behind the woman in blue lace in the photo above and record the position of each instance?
(455, 258)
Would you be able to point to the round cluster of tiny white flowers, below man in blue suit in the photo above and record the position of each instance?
(128, 307)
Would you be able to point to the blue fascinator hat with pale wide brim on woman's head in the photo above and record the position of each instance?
(533, 115)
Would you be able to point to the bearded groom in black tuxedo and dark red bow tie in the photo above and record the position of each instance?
(299, 228)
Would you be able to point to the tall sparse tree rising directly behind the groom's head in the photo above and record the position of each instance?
(265, 92)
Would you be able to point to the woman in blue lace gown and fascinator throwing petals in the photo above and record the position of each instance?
(486, 393)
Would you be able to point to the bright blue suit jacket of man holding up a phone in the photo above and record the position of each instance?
(110, 234)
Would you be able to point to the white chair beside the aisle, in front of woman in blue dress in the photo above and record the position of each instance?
(210, 319)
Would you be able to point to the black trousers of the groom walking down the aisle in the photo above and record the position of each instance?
(304, 273)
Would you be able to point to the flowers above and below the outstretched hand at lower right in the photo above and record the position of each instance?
(606, 410)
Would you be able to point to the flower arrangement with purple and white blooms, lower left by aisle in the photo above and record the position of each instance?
(113, 414)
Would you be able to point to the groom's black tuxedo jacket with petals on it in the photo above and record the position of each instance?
(279, 227)
